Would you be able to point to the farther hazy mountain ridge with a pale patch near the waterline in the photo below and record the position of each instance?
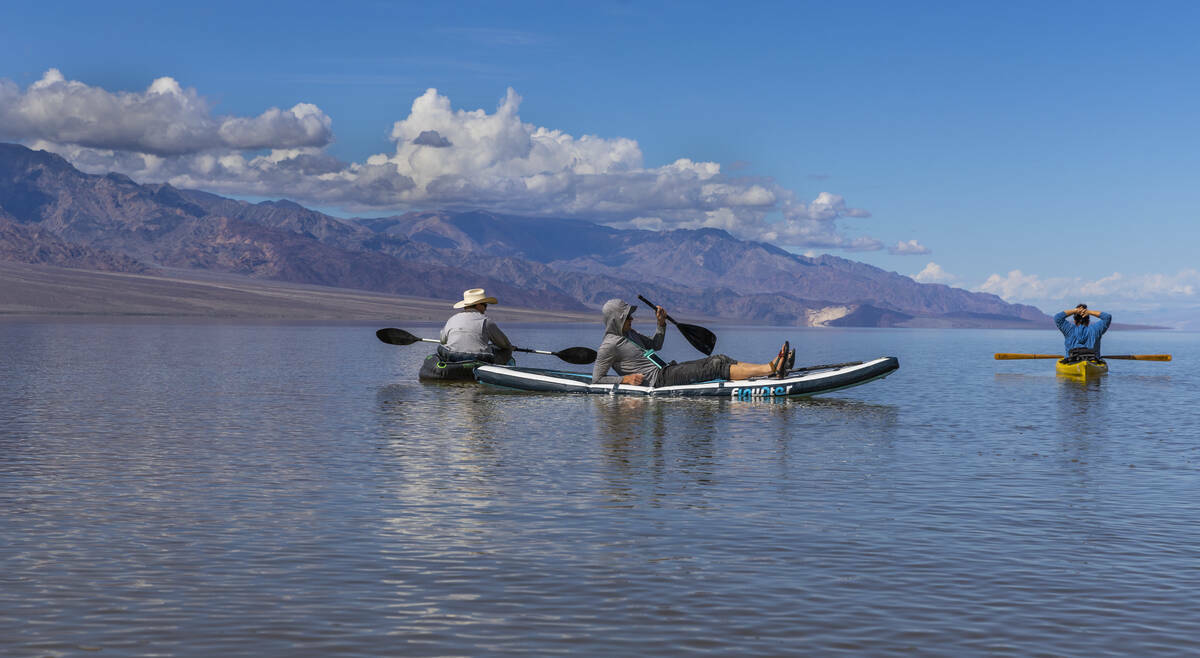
(741, 279)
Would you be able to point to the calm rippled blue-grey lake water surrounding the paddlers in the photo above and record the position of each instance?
(253, 490)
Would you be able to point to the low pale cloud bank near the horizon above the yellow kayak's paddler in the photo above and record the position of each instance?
(1129, 291)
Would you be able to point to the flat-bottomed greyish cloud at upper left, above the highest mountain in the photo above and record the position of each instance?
(164, 121)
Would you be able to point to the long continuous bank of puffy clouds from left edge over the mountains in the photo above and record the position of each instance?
(443, 158)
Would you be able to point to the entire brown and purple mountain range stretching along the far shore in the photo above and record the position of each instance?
(51, 213)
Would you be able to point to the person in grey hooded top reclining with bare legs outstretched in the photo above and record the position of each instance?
(633, 356)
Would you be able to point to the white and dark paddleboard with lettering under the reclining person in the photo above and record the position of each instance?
(801, 384)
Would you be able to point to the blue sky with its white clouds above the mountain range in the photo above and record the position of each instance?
(1041, 152)
